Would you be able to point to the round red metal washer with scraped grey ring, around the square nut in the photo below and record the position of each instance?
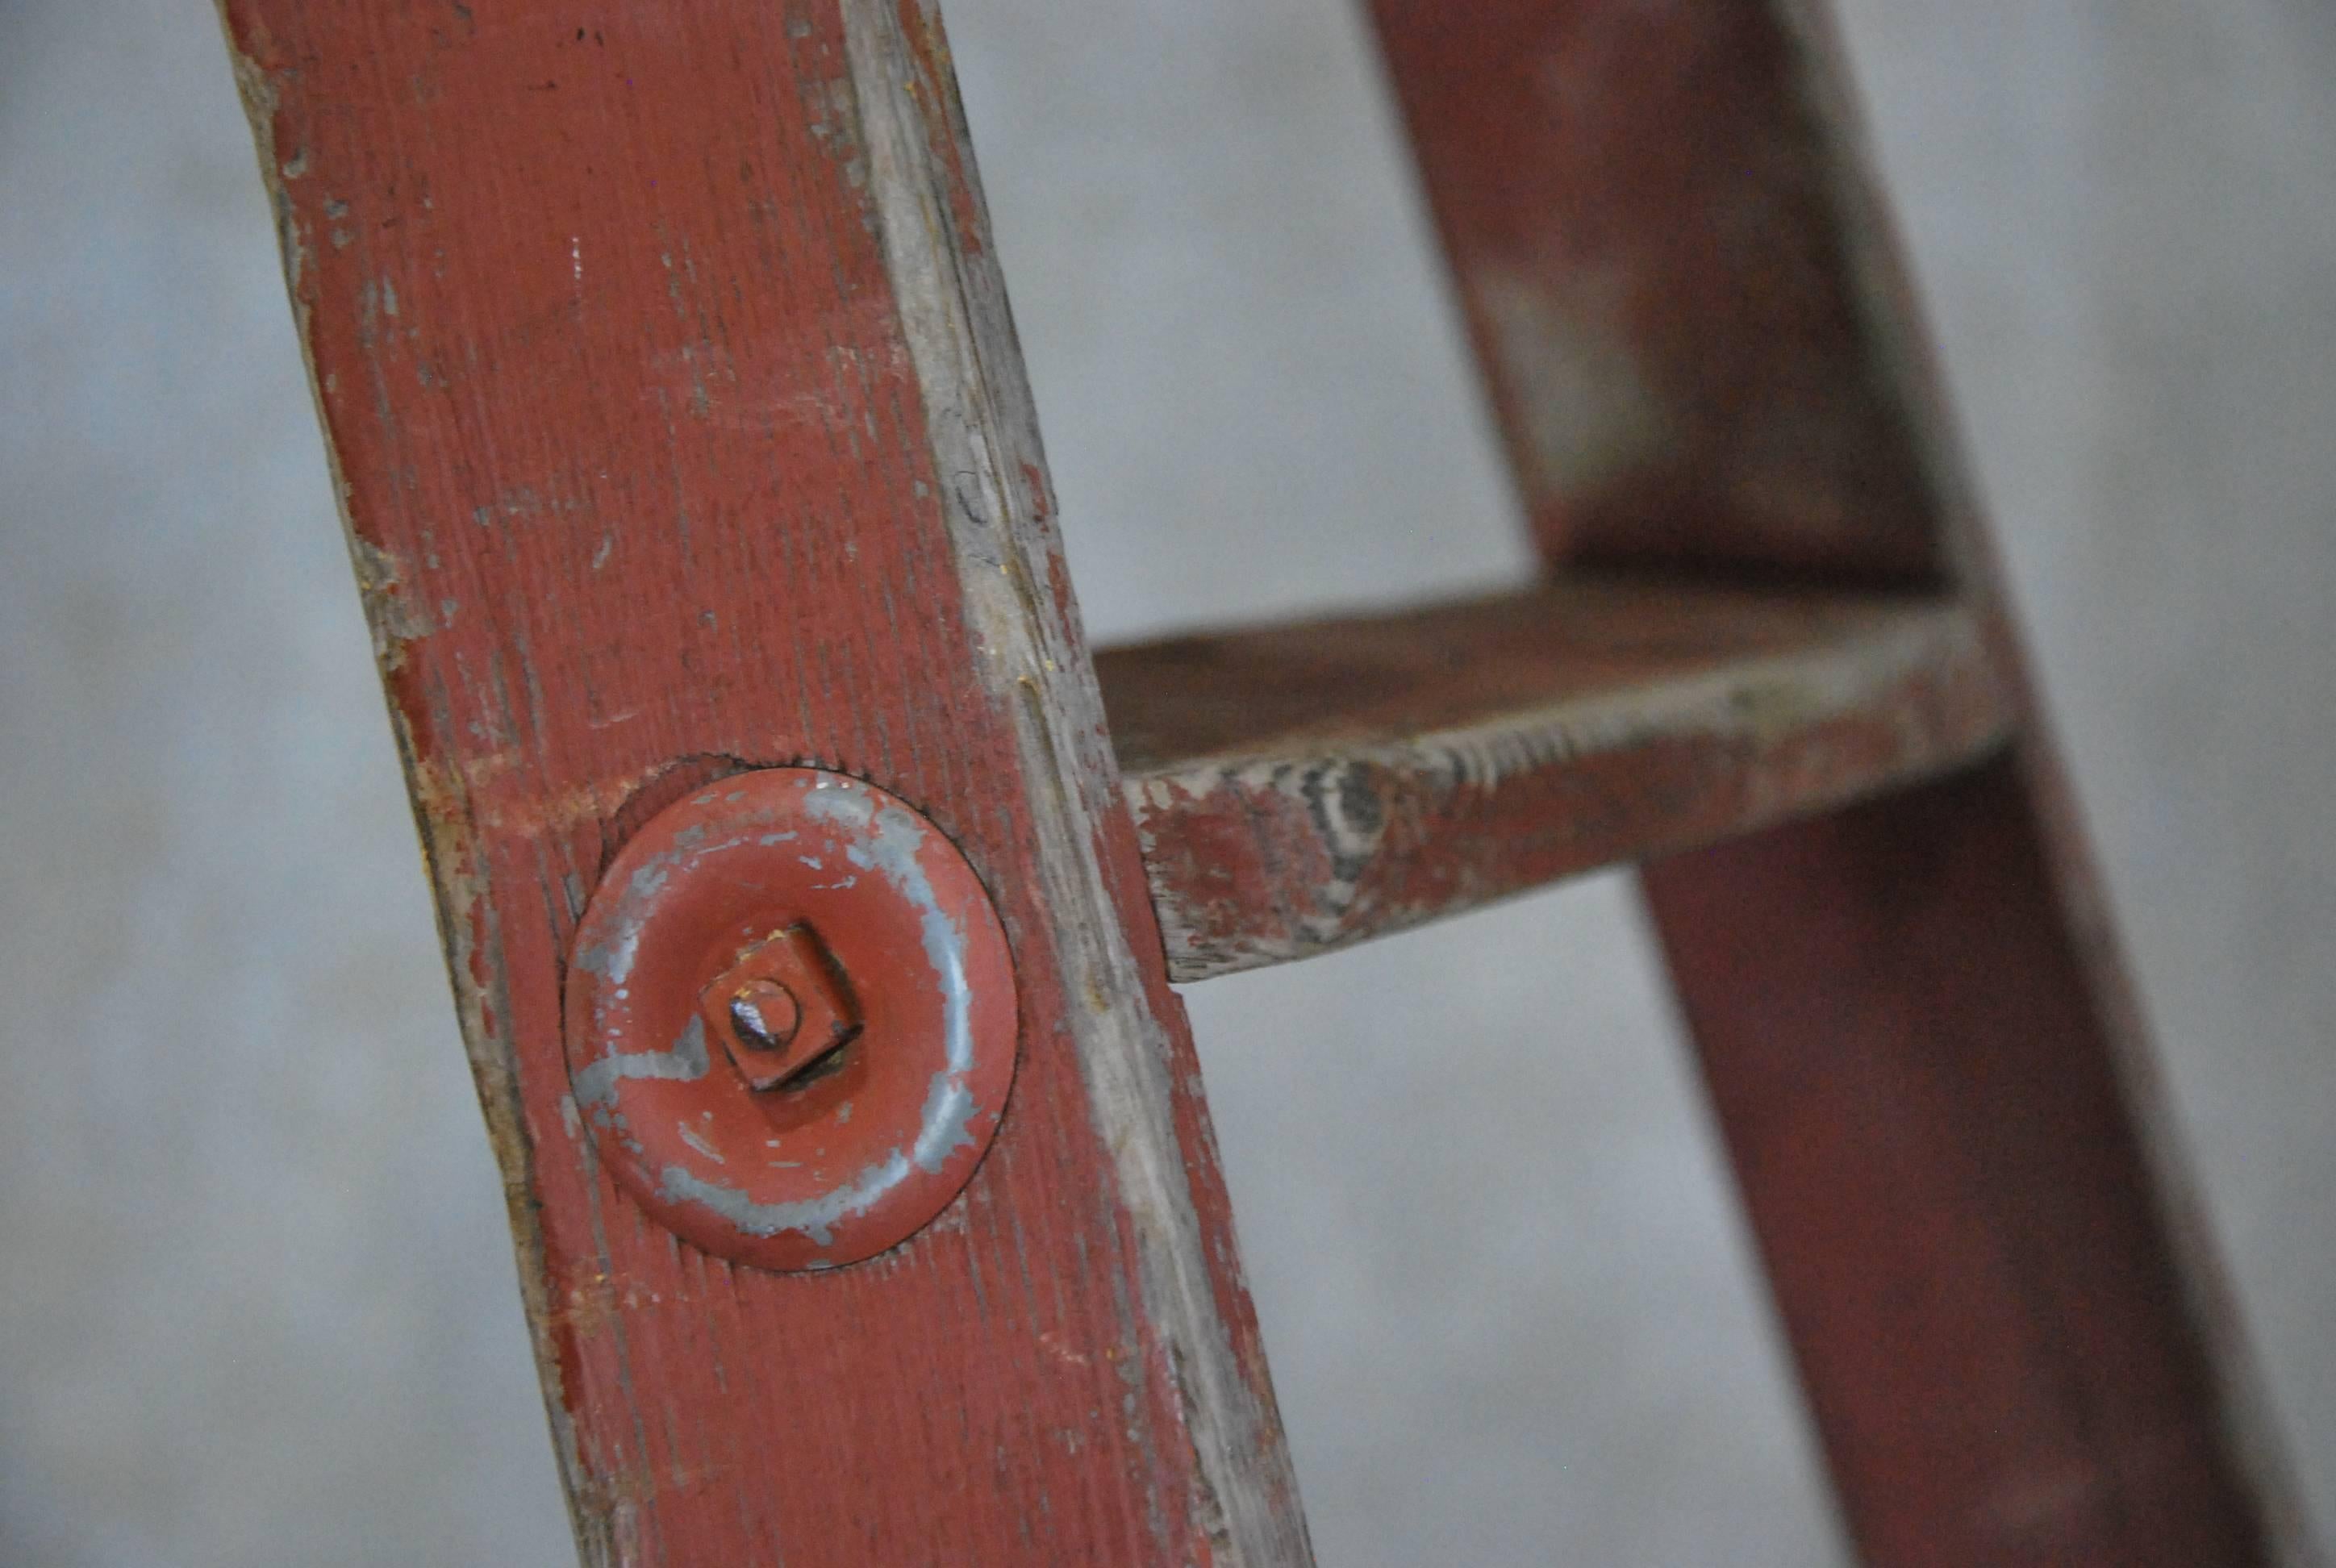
(847, 1160)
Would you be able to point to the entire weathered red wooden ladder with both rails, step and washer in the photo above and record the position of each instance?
(702, 522)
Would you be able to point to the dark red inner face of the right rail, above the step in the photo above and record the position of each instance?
(1639, 216)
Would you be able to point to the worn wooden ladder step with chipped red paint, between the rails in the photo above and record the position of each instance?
(1307, 786)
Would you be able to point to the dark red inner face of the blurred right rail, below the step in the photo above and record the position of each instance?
(1942, 1167)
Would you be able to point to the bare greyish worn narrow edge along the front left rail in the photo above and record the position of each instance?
(973, 384)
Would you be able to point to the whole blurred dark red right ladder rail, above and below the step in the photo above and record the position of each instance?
(1924, 1055)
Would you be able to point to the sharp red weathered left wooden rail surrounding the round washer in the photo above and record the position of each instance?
(681, 429)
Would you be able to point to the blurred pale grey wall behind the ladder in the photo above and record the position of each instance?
(256, 1296)
